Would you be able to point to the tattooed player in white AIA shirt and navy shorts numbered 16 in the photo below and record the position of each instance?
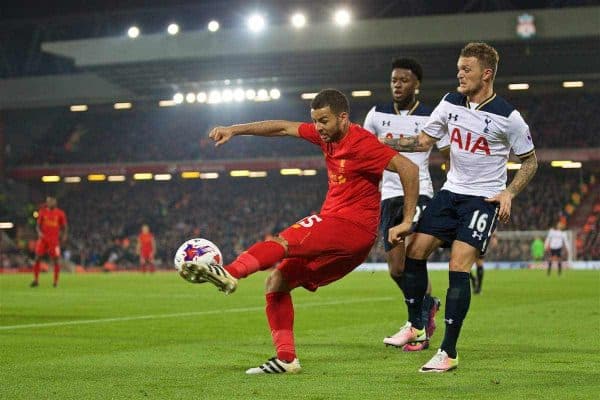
(483, 129)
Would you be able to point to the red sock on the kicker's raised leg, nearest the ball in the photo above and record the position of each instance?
(261, 256)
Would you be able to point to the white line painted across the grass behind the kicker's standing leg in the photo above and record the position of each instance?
(187, 314)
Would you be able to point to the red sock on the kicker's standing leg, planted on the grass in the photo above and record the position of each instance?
(280, 313)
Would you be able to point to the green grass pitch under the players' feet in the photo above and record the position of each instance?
(133, 336)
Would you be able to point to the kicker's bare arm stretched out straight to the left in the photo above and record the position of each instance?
(222, 134)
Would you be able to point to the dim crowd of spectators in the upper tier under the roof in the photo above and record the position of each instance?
(180, 133)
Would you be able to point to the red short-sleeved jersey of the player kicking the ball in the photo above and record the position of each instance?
(354, 166)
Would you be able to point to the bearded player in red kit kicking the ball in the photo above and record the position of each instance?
(321, 248)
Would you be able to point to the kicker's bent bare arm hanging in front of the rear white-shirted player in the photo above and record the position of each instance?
(409, 176)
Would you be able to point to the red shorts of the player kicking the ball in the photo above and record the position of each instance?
(323, 249)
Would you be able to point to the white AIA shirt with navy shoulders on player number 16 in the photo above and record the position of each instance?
(481, 137)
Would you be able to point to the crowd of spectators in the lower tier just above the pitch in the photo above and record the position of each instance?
(105, 218)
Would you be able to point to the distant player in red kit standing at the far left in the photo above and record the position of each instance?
(51, 222)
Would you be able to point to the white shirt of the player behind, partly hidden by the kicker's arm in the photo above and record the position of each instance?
(385, 122)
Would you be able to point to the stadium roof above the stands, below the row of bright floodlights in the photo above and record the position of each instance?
(155, 66)
